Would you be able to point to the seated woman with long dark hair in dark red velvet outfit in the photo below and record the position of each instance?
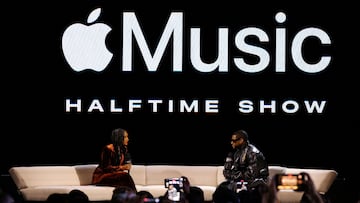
(115, 162)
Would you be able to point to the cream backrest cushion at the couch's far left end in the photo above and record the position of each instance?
(32, 176)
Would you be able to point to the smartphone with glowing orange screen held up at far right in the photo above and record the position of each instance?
(294, 182)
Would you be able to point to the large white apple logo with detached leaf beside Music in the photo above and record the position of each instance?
(84, 45)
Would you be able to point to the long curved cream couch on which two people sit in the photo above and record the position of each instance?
(36, 183)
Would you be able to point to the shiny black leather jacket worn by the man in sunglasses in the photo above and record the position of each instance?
(247, 164)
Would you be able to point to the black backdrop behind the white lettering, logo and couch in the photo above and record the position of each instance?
(36, 81)
